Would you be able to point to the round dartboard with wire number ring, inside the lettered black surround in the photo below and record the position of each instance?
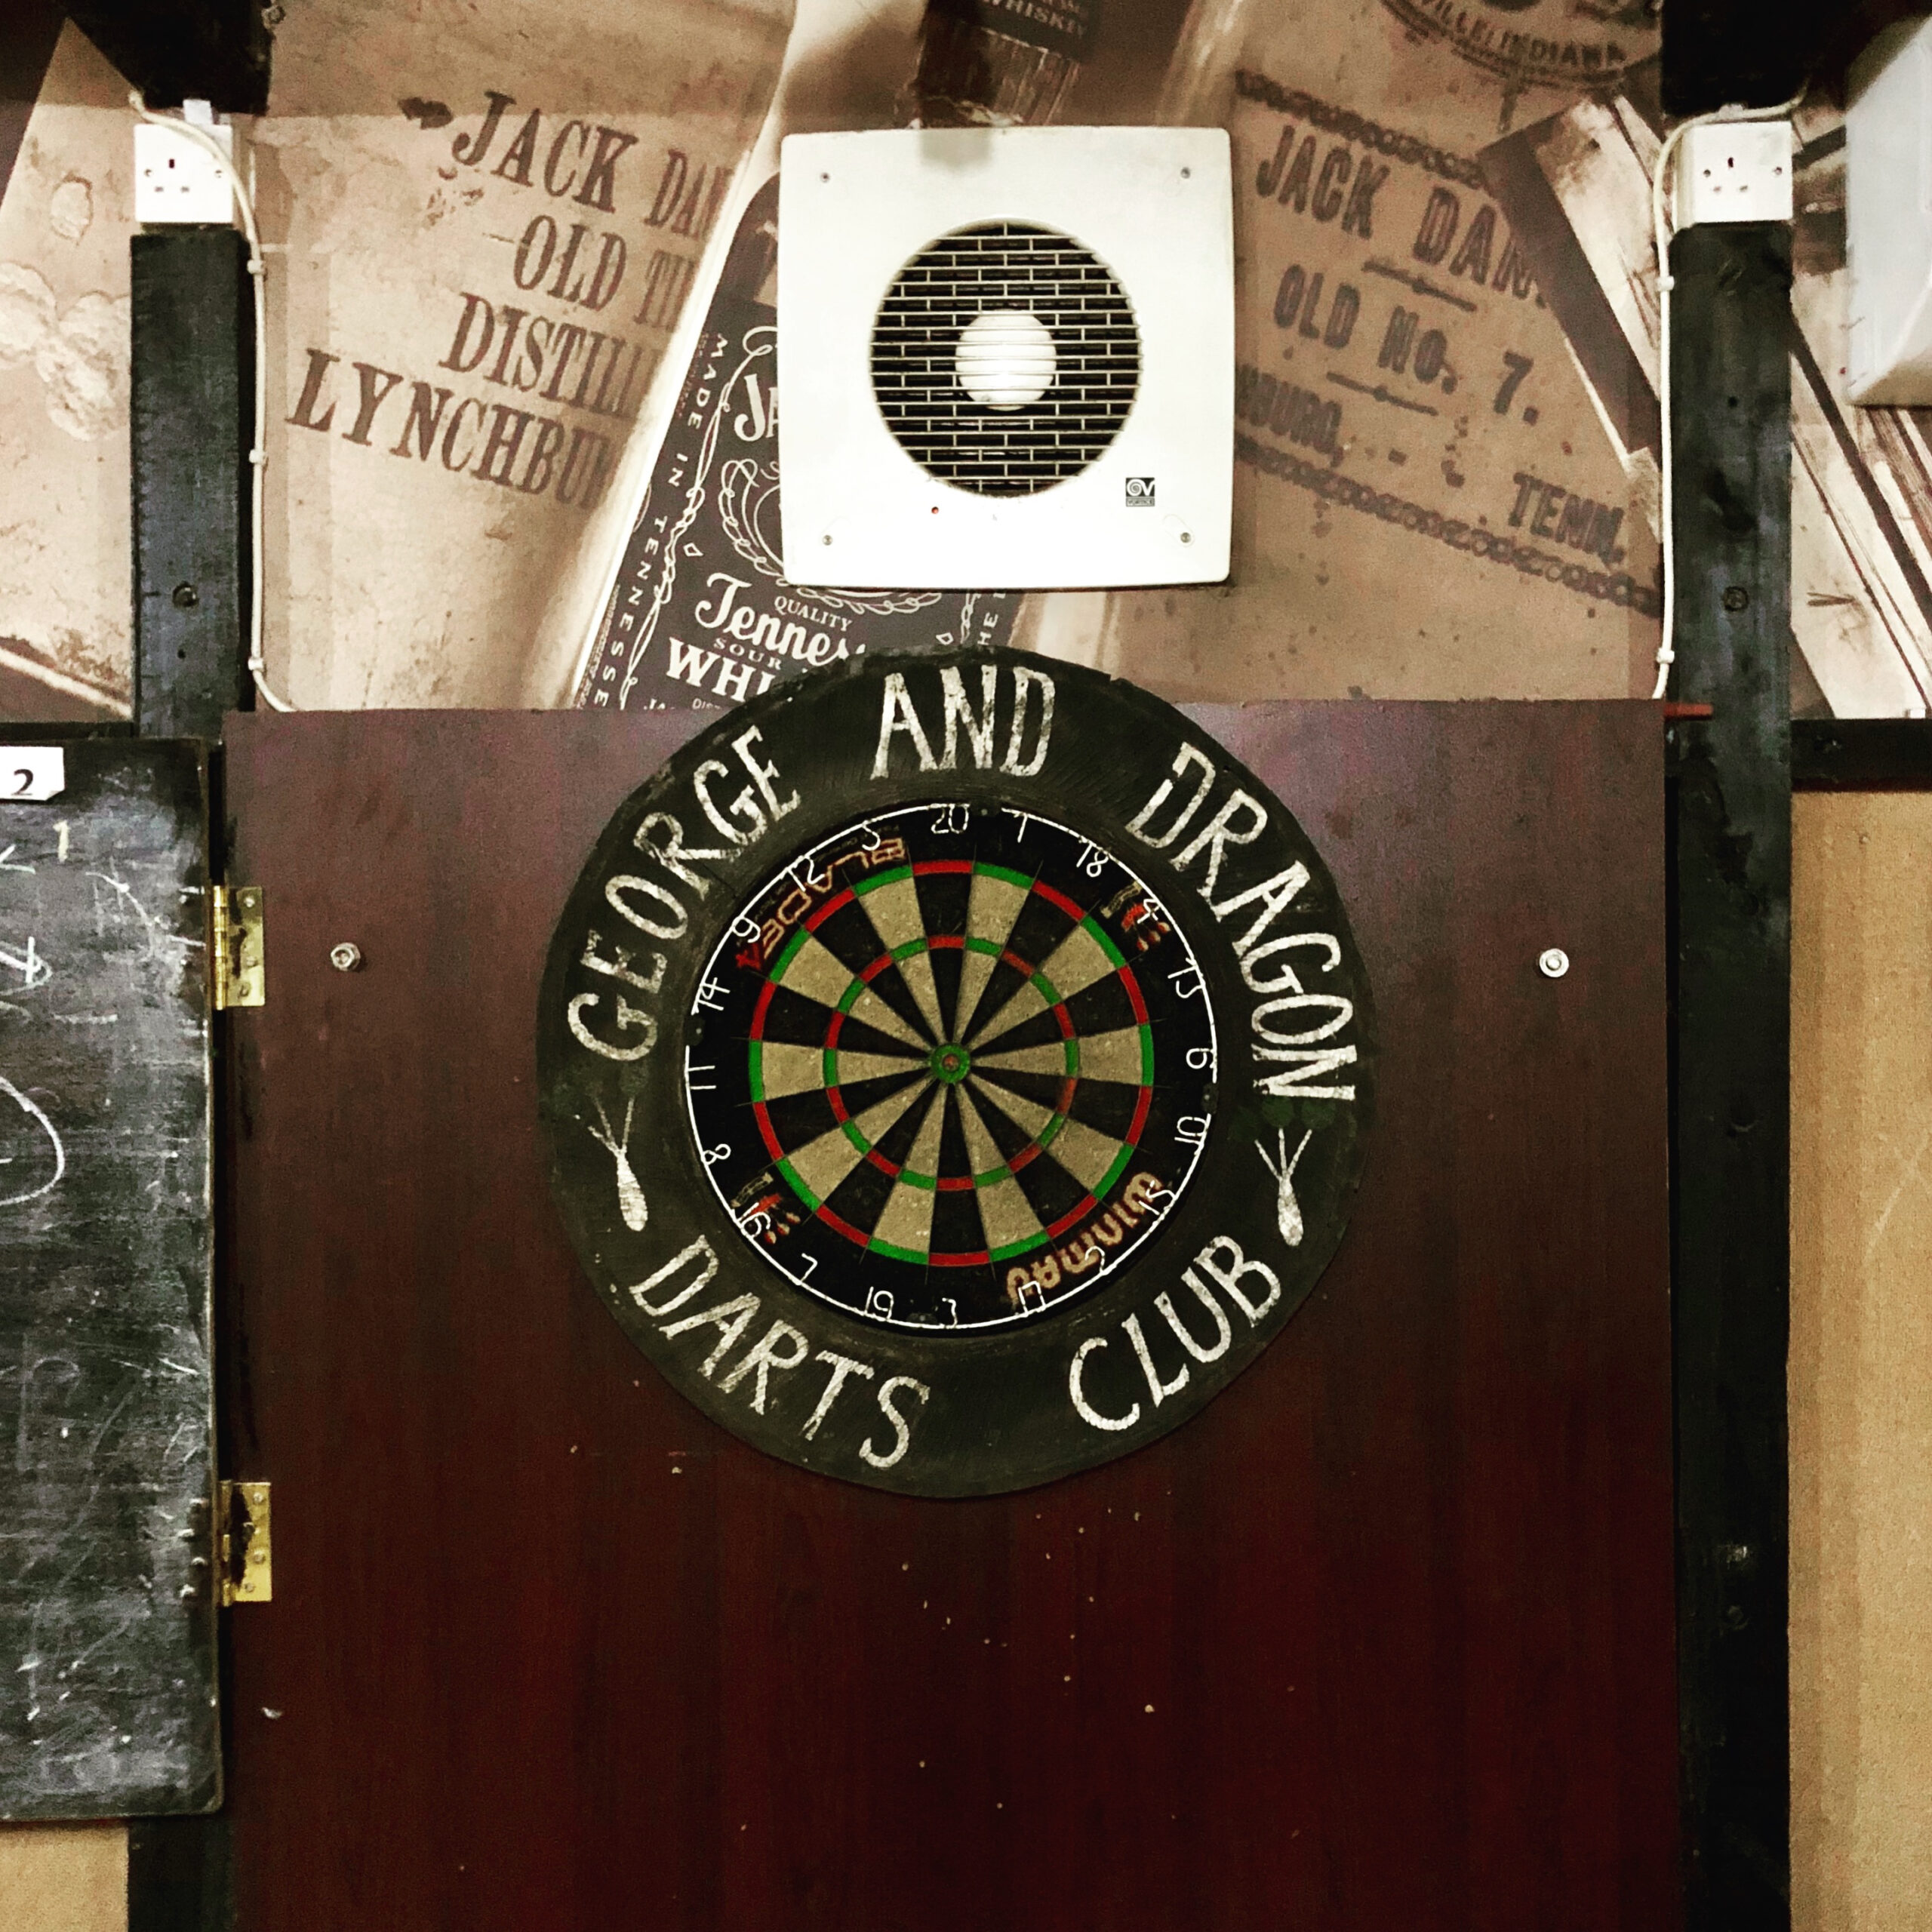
(957, 1065)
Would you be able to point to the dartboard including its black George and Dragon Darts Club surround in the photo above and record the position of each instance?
(955, 1071)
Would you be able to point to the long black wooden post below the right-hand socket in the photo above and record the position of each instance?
(1732, 992)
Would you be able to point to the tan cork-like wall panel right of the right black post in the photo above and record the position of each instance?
(1861, 1338)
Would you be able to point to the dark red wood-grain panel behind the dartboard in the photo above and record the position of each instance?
(1380, 1641)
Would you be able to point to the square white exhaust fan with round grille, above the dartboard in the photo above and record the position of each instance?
(1006, 358)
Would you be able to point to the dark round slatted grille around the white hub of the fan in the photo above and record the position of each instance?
(1006, 268)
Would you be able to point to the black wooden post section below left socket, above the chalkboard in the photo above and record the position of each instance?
(192, 412)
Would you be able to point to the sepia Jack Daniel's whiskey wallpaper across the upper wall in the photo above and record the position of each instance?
(521, 430)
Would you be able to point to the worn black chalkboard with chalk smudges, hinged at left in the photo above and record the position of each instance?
(107, 1436)
